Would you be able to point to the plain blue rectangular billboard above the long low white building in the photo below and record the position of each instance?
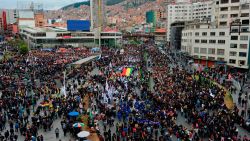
(78, 25)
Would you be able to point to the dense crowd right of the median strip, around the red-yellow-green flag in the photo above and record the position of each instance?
(151, 115)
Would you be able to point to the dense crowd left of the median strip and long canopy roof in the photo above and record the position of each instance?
(30, 93)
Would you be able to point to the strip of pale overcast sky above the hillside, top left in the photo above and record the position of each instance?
(47, 4)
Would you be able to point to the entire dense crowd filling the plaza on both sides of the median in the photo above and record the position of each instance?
(120, 107)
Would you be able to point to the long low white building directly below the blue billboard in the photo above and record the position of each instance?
(49, 37)
